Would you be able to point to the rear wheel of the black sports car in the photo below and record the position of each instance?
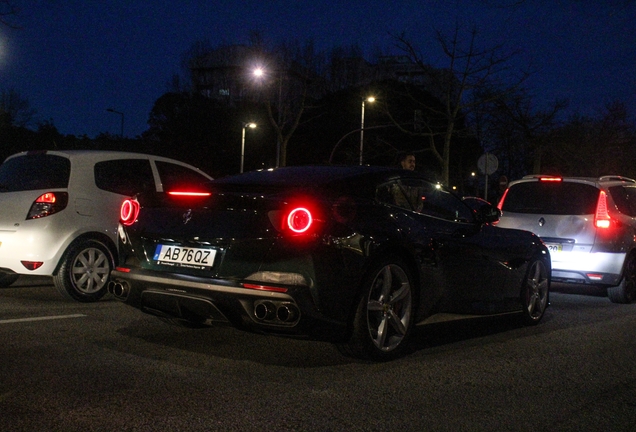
(384, 316)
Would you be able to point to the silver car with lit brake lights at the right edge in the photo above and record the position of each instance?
(588, 224)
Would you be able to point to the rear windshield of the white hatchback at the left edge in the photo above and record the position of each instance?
(33, 172)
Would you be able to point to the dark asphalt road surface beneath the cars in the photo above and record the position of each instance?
(67, 366)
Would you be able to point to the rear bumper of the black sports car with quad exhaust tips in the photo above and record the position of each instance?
(212, 302)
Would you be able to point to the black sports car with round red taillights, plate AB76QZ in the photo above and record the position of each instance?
(352, 255)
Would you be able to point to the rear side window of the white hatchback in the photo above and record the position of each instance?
(124, 176)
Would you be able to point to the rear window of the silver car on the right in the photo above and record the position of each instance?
(559, 198)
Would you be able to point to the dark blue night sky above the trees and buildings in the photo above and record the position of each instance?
(73, 59)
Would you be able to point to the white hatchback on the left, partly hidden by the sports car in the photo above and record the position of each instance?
(59, 212)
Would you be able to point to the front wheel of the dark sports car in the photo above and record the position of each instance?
(535, 292)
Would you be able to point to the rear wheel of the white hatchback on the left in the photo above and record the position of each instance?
(85, 271)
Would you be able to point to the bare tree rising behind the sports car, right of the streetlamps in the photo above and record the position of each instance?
(469, 70)
